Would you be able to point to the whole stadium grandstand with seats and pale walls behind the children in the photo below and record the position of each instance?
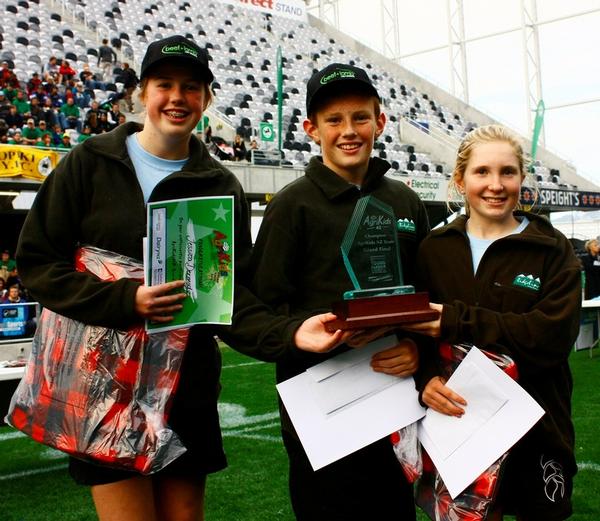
(424, 127)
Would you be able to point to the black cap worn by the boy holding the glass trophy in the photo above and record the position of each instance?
(334, 76)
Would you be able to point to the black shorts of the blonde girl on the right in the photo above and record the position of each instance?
(535, 485)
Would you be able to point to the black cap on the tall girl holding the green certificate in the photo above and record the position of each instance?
(177, 48)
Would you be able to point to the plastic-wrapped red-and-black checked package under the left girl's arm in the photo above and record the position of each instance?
(100, 394)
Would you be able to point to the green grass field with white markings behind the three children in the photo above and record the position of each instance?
(34, 485)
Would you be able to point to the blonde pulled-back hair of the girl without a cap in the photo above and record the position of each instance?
(478, 136)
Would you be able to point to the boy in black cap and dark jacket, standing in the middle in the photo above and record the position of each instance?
(299, 271)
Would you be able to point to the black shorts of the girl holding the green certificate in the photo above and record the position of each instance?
(194, 417)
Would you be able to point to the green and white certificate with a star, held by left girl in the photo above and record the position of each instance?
(192, 240)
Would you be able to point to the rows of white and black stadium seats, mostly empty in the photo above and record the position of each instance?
(243, 50)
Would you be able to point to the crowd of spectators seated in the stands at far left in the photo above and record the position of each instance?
(60, 106)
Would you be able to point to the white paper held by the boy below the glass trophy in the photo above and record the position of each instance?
(329, 437)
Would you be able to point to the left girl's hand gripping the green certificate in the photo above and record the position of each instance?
(157, 303)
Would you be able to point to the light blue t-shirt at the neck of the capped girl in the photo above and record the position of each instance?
(150, 169)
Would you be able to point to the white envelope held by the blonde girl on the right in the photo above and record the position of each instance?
(486, 441)
